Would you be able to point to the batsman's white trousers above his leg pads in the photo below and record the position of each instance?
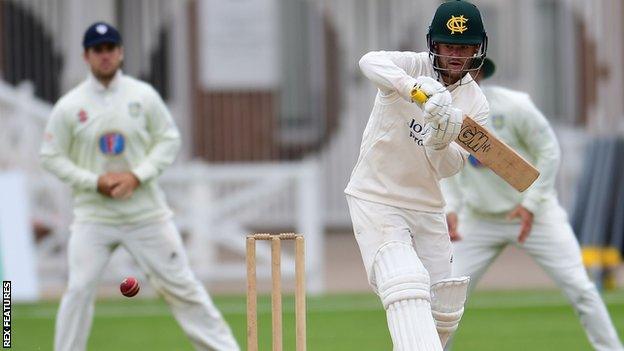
(375, 225)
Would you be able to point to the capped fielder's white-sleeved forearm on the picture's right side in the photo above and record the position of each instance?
(159, 158)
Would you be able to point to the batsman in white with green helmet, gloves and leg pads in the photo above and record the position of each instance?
(394, 197)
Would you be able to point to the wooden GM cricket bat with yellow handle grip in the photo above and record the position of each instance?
(491, 151)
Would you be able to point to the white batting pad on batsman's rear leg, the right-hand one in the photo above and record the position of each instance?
(448, 297)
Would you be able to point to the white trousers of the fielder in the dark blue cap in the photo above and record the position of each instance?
(157, 248)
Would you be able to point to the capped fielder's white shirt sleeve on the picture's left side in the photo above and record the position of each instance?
(54, 154)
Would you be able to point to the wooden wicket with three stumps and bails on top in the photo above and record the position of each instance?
(276, 290)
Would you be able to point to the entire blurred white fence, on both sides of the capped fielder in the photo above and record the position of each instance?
(215, 205)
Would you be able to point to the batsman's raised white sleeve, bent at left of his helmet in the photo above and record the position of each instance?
(389, 71)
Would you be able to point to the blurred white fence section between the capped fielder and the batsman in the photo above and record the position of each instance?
(219, 204)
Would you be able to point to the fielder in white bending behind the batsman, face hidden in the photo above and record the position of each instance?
(493, 215)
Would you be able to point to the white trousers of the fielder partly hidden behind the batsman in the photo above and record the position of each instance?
(554, 247)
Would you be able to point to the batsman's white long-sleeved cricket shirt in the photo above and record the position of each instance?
(393, 167)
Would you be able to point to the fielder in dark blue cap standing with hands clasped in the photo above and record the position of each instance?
(109, 138)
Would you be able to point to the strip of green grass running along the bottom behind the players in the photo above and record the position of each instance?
(493, 321)
